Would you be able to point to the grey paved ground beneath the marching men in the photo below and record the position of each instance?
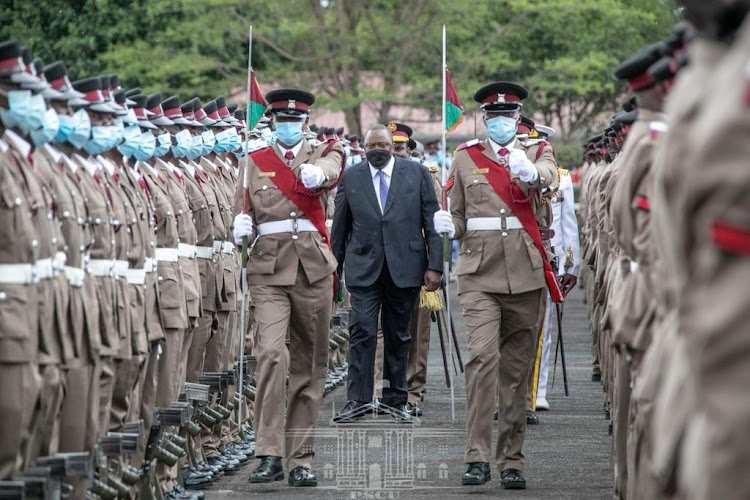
(567, 455)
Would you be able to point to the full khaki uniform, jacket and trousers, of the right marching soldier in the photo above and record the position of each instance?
(502, 288)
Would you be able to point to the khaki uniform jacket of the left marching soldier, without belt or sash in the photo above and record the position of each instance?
(275, 258)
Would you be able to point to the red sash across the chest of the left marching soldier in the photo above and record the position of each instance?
(309, 202)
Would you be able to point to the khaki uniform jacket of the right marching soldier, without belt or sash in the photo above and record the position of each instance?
(489, 262)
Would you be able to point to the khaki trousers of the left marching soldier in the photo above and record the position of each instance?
(303, 310)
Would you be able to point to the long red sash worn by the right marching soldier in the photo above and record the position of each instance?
(500, 181)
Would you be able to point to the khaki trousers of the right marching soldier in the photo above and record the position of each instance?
(501, 330)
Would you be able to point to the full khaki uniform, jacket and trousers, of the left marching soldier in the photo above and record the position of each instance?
(290, 278)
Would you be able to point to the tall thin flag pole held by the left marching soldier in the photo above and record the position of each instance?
(245, 210)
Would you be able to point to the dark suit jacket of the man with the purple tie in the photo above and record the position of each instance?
(403, 235)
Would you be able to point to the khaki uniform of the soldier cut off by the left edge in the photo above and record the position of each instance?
(19, 321)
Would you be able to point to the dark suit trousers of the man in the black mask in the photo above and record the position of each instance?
(397, 306)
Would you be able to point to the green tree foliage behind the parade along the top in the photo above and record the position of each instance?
(563, 50)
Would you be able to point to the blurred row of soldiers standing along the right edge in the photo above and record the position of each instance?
(666, 241)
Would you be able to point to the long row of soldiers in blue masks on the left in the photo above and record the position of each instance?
(120, 287)
